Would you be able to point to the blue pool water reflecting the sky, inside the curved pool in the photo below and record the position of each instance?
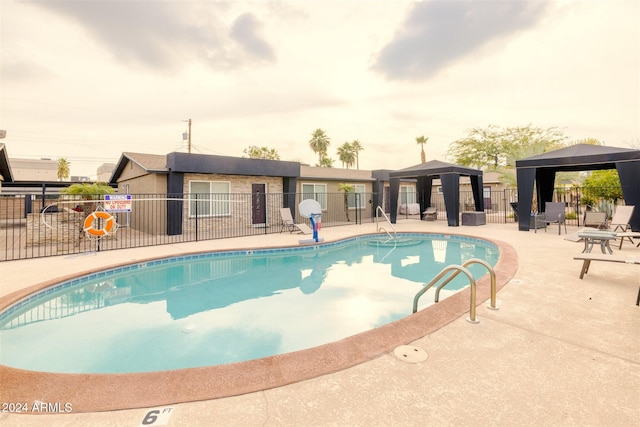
(224, 307)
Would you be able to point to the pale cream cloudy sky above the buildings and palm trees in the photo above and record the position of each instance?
(87, 80)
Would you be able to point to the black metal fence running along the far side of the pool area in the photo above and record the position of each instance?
(33, 226)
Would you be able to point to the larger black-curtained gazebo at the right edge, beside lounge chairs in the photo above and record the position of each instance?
(542, 169)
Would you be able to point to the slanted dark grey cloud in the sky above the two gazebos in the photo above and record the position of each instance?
(437, 33)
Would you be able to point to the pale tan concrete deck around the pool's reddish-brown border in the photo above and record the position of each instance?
(560, 351)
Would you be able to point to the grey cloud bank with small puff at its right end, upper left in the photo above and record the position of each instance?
(167, 35)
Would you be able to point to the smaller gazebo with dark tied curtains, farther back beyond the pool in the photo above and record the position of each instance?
(449, 175)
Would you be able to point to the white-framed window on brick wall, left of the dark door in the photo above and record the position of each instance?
(209, 198)
